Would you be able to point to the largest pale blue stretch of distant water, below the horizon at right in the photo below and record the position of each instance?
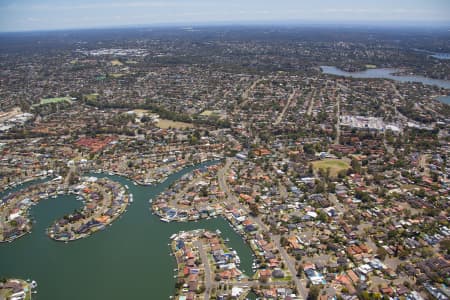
(386, 74)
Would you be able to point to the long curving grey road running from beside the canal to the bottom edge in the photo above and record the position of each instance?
(289, 262)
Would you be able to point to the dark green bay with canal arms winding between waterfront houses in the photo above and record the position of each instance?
(128, 260)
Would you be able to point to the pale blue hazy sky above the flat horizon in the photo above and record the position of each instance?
(27, 15)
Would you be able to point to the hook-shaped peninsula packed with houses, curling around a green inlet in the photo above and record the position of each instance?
(104, 201)
